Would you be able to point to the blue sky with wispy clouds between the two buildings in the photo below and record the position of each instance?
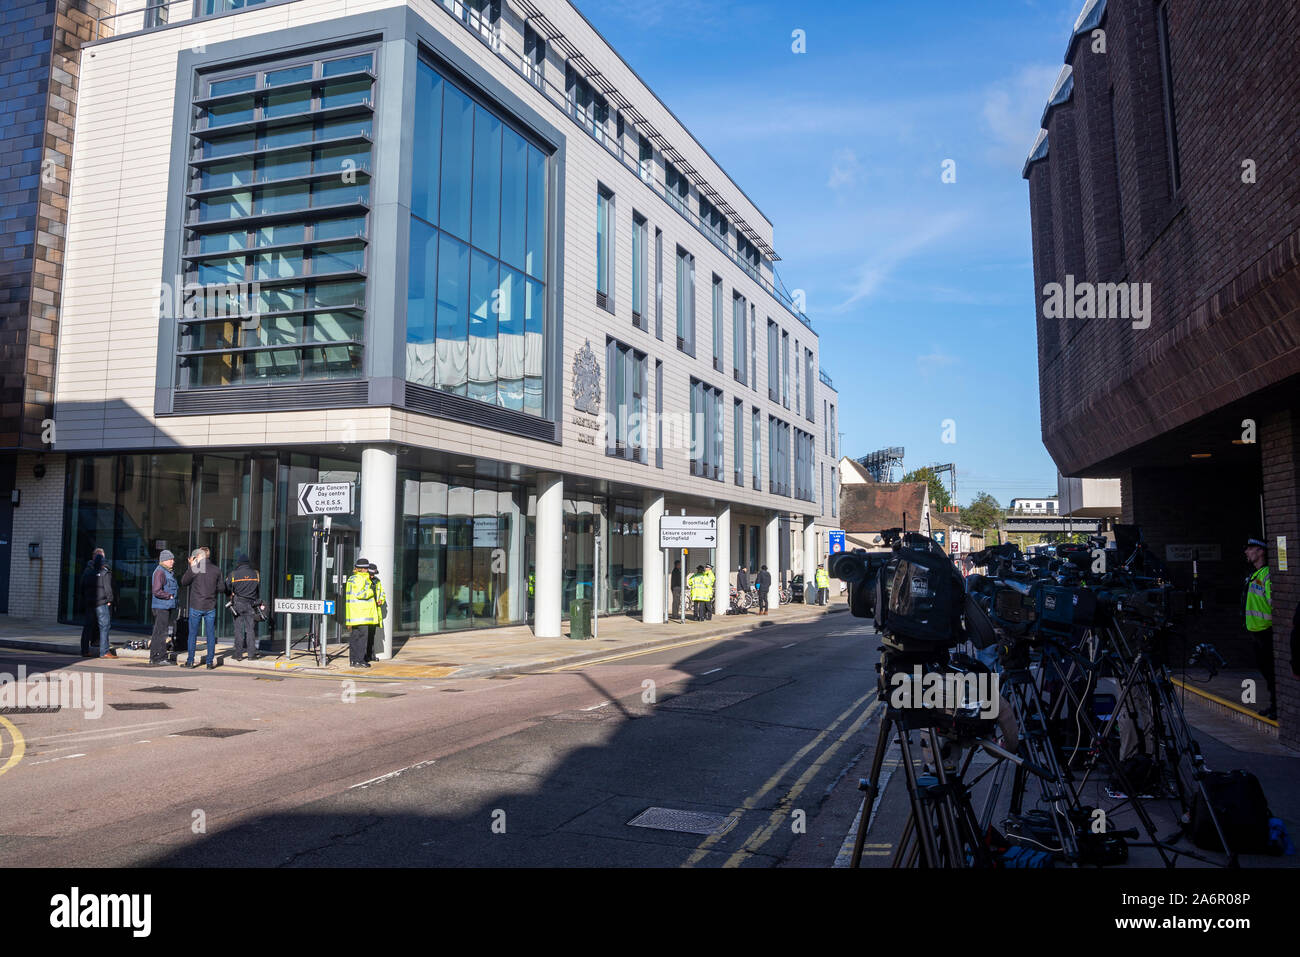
(922, 292)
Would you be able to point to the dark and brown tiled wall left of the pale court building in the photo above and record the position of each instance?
(40, 66)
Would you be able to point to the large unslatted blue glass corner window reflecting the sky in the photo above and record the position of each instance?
(478, 269)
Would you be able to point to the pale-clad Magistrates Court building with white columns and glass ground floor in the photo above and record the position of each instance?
(456, 256)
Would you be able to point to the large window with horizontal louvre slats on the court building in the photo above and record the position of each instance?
(276, 224)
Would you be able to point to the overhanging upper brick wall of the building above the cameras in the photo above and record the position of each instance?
(1223, 257)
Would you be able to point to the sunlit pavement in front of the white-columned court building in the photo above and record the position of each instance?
(476, 653)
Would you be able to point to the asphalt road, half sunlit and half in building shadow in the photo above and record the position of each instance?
(748, 734)
